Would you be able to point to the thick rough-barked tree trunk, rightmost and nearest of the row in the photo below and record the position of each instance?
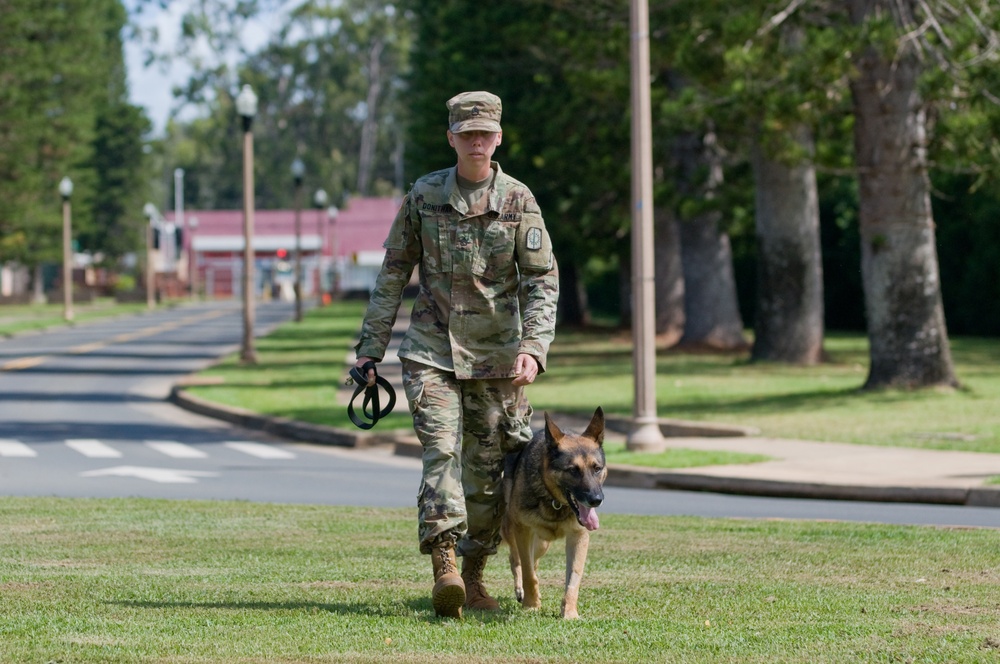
(899, 266)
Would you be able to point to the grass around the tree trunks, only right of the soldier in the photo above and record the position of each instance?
(812, 403)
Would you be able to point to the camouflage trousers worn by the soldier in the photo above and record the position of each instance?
(465, 428)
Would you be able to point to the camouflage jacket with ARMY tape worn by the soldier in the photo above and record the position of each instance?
(488, 279)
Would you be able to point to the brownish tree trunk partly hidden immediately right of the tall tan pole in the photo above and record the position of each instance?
(669, 277)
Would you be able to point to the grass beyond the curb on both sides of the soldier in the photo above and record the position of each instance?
(301, 366)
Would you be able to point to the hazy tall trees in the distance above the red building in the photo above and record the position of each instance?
(328, 82)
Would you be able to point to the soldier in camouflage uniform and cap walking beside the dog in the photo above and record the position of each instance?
(480, 329)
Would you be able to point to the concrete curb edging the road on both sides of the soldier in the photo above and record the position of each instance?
(404, 443)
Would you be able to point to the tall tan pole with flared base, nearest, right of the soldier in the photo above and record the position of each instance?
(645, 434)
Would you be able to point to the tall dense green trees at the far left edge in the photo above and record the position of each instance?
(63, 112)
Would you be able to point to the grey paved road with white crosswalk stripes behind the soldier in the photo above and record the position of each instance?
(83, 413)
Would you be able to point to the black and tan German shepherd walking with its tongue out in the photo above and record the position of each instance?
(552, 488)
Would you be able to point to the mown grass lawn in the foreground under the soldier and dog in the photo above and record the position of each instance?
(165, 581)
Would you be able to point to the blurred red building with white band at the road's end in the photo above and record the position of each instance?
(341, 249)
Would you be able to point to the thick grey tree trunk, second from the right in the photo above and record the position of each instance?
(788, 322)
